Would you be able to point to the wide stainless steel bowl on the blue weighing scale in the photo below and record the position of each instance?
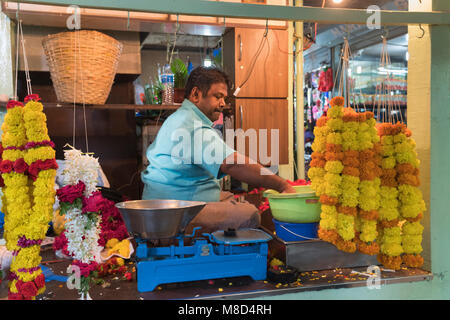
(158, 219)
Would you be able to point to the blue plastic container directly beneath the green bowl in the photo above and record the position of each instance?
(296, 231)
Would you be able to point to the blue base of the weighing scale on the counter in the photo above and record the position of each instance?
(213, 259)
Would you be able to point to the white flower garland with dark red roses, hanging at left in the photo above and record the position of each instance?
(79, 202)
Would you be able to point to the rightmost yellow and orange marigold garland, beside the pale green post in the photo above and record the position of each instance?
(411, 204)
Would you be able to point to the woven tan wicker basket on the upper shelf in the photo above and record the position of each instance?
(82, 65)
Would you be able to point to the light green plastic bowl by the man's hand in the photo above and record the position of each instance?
(300, 207)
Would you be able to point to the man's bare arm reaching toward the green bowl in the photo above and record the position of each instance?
(253, 173)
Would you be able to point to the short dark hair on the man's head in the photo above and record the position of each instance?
(203, 78)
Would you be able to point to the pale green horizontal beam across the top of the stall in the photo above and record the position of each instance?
(255, 11)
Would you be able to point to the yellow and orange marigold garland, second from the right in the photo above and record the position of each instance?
(390, 238)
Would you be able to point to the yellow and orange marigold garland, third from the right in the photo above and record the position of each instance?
(369, 187)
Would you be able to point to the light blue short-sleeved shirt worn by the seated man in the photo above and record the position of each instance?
(185, 158)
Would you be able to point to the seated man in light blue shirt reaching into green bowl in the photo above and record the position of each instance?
(188, 157)
